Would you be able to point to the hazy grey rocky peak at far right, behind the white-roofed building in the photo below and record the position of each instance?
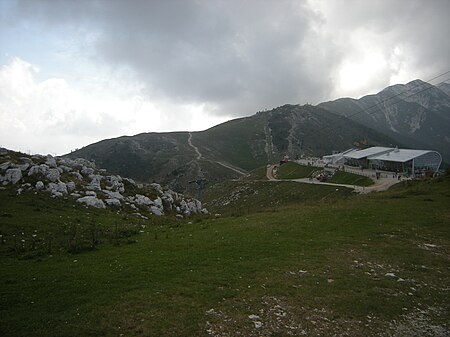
(416, 114)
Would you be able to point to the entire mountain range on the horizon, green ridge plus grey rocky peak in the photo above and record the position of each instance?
(415, 115)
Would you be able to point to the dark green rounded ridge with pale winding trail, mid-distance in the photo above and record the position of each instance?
(231, 149)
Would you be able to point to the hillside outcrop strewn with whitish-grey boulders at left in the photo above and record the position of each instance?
(80, 180)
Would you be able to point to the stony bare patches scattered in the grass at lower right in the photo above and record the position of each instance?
(288, 316)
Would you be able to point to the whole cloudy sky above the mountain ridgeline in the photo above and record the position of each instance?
(75, 72)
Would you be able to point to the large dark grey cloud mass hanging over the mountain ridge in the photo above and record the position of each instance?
(240, 56)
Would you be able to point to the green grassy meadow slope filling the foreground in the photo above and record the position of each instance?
(314, 268)
